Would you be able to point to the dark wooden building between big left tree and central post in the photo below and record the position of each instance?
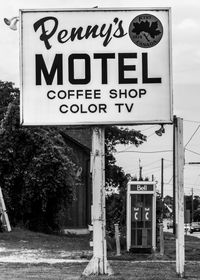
(78, 215)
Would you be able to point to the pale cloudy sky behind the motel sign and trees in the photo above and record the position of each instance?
(186, 85)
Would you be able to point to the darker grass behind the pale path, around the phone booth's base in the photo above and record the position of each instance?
(25, 239)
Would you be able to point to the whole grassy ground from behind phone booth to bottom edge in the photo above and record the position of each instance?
(27, 255)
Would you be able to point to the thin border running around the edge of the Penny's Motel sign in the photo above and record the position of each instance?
(139, 122)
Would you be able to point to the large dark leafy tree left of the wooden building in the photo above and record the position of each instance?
(37, 170)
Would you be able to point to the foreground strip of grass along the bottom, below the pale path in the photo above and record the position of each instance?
(123, 271)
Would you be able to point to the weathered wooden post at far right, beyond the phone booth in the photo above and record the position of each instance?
(179, 195)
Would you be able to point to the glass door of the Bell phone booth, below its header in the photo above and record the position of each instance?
(141, 220)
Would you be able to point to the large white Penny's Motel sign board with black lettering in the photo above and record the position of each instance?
(96, 66)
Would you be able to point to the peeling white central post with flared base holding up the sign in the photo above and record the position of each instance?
(98, 264)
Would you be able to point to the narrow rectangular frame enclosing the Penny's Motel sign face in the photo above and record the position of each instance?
(169, 120)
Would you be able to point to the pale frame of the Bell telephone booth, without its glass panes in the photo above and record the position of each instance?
(145, 188)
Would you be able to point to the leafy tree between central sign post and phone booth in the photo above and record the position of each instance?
(115, 176)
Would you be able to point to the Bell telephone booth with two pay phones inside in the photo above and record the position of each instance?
(141, 216)
